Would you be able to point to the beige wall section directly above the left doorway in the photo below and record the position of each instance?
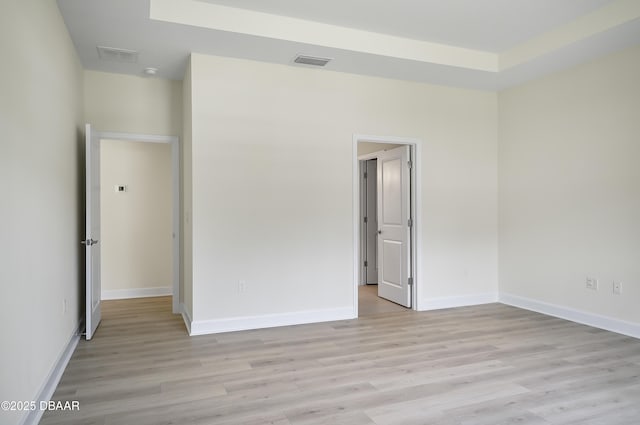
(131, 104)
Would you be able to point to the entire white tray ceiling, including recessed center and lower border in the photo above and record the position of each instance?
(483, 44)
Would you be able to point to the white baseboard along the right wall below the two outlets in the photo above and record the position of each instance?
(578, 316)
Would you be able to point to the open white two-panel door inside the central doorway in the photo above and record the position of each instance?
(394, 226)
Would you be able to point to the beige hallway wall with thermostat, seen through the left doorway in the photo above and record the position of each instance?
(136, 224)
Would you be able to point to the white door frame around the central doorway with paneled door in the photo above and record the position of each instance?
(416, 210)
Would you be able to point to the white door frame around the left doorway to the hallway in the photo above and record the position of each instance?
(175, 199)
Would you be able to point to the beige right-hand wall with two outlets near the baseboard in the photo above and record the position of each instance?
(570, 187)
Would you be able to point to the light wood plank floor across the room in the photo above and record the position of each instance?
(483, 365)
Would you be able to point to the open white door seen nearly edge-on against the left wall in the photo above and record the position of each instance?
(92, 238)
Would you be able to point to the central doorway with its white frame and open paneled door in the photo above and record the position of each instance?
(386, 242)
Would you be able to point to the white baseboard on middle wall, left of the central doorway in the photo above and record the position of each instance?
(203, 327)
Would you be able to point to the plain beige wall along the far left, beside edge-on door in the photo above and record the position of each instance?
(40, 223)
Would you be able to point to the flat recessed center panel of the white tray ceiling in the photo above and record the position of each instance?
(491, 25)
